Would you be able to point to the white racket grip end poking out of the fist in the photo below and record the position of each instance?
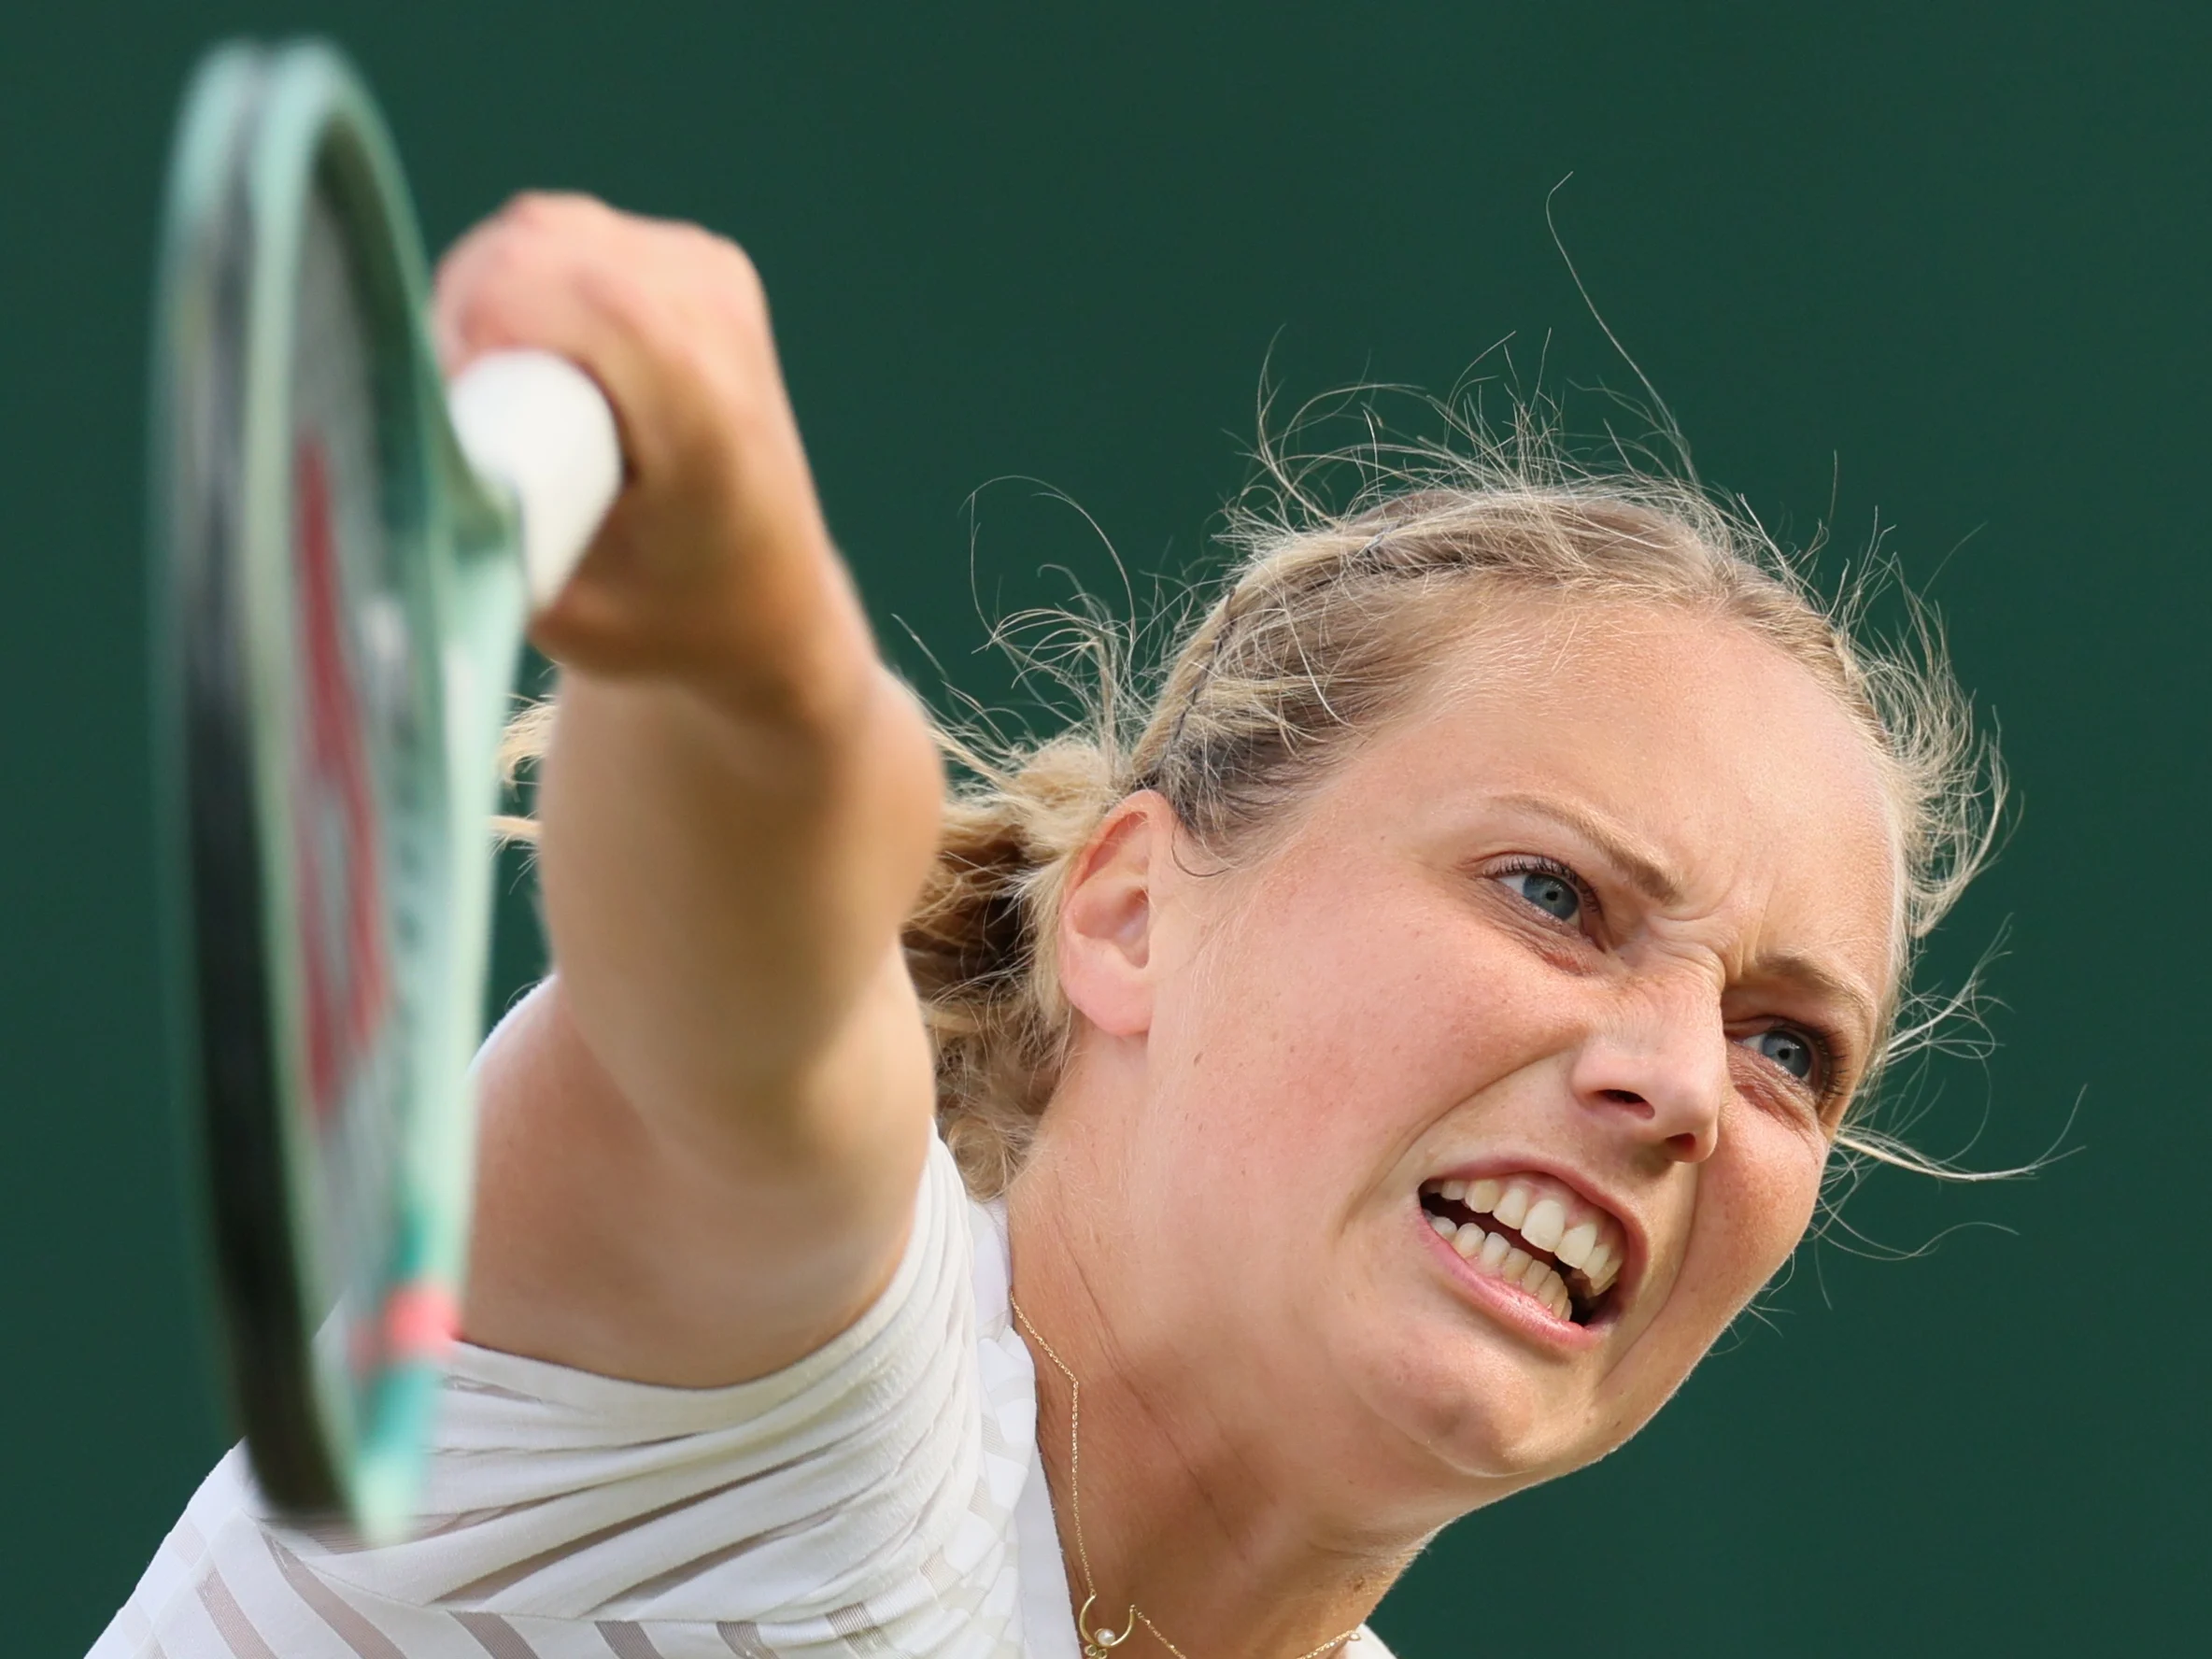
(543, 428)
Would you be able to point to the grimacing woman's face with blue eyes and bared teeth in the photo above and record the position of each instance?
(1585, 957)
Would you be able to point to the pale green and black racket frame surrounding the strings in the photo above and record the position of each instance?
(264, 134)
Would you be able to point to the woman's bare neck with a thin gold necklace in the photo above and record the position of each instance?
(1213, 1536)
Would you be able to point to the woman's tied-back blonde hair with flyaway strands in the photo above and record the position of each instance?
(1331, 623)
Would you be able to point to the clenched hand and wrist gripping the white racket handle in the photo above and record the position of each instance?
(716, 565)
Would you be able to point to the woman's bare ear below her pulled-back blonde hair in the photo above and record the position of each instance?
(1109, 912)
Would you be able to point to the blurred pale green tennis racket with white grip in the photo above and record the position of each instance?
(346, 554)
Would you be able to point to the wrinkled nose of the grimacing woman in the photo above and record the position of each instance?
(1660, 1070)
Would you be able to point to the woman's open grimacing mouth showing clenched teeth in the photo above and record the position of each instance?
(1532, 1233)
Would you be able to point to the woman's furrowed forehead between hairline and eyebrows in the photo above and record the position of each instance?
(1724, 764)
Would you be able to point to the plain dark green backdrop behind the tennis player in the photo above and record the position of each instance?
(1926, 267)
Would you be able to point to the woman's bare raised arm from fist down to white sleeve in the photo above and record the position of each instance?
(705, 1134)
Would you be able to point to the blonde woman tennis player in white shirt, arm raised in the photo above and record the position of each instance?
(1142, 1193)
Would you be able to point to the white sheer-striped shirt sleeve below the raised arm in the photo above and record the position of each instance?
(837, 1505)
